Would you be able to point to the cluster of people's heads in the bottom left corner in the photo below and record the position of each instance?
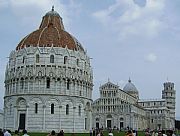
(16, 133)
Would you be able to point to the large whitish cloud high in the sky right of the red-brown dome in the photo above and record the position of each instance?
(132, 19)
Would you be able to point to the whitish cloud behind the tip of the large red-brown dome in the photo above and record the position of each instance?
(29, 12)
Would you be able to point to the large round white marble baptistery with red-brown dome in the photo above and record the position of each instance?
(48, 81)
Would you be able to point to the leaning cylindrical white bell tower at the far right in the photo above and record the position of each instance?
(170, 95)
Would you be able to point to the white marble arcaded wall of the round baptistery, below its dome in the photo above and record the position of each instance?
(26, 84)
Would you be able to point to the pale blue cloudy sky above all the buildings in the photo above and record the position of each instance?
(125, 38)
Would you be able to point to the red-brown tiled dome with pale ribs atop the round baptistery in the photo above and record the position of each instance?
(51, 33)
